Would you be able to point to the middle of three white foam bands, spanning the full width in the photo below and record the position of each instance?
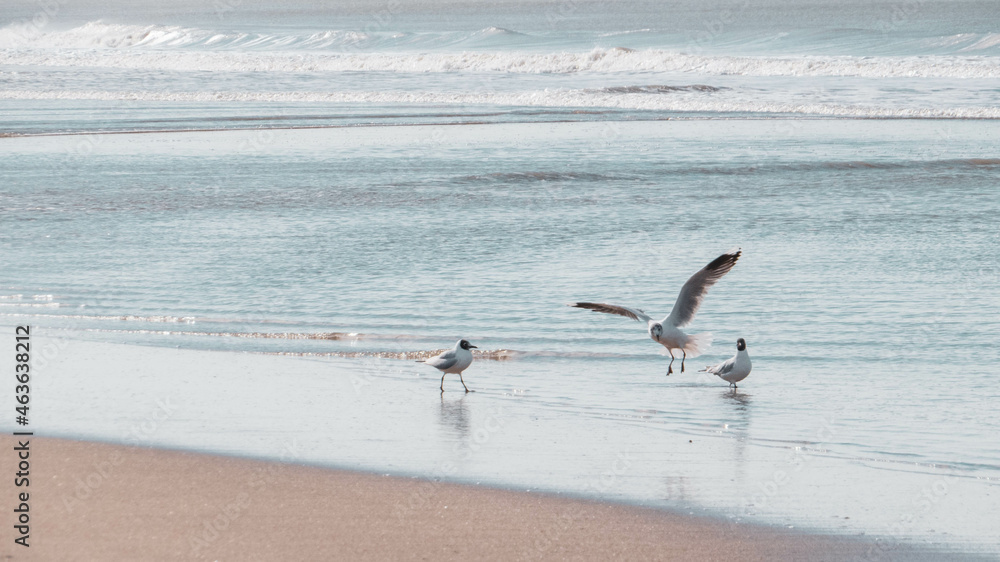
(513, 62)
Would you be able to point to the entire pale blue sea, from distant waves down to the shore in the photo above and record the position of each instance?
(363, 183)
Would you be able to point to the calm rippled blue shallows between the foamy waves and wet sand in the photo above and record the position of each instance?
(868, 309)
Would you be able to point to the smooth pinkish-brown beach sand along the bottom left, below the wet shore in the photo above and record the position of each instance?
(93, 501)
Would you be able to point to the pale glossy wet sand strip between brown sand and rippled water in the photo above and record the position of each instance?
(378, 416)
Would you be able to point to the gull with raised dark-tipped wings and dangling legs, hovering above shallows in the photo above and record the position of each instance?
(667, 331)
